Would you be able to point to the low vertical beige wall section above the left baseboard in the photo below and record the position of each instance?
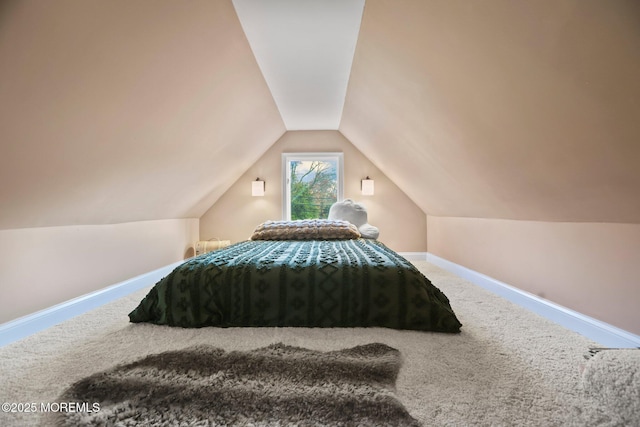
(41, 267)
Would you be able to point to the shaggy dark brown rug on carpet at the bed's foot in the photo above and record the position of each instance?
(270, 386)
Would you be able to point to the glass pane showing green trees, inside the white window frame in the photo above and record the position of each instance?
(314, 188)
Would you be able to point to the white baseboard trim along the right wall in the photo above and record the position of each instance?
(601, 332)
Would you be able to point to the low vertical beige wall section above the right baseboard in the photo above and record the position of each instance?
(592, 268)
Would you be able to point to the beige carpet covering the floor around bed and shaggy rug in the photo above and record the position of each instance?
(508, 367)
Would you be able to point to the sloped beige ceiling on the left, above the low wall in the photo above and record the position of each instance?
(116, 110)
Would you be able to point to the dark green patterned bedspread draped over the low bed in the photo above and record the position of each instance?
(330, 283)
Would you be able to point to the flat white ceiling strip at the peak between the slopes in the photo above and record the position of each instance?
(305, 49)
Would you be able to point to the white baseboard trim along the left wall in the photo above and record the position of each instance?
(22, 327)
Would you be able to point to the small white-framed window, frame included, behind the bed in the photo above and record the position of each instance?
(312, 183)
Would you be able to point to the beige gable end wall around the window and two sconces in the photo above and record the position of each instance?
(235, 215)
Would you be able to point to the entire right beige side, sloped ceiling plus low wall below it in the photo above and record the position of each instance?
(524, 113)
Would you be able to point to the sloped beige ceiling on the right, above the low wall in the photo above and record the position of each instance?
(501, 108)
